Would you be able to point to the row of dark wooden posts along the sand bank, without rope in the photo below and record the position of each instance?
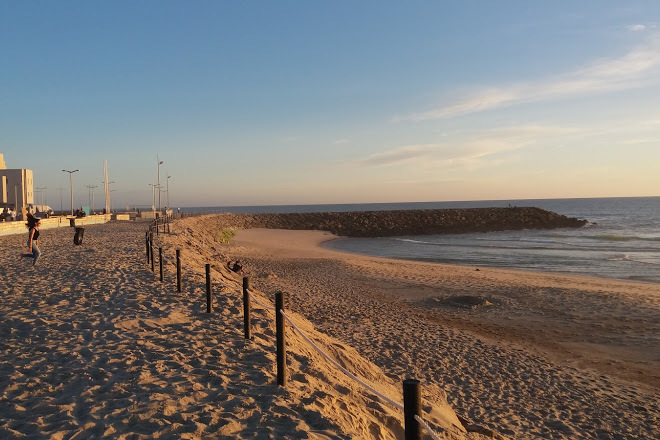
(411, 387)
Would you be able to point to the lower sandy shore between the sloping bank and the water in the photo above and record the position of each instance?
(529, 355)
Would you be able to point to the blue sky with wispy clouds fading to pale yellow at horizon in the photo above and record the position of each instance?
(309, 102)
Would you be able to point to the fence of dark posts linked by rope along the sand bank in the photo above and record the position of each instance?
(411, 393)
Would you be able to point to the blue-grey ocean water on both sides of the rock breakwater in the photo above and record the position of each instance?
(622, 239)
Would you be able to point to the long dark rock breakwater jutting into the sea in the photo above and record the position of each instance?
(405, 222)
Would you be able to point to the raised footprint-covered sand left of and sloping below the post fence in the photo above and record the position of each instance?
(95, 346)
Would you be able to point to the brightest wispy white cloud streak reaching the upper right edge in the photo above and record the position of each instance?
(629, 71)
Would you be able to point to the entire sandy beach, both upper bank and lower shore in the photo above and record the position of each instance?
(95, 346)
